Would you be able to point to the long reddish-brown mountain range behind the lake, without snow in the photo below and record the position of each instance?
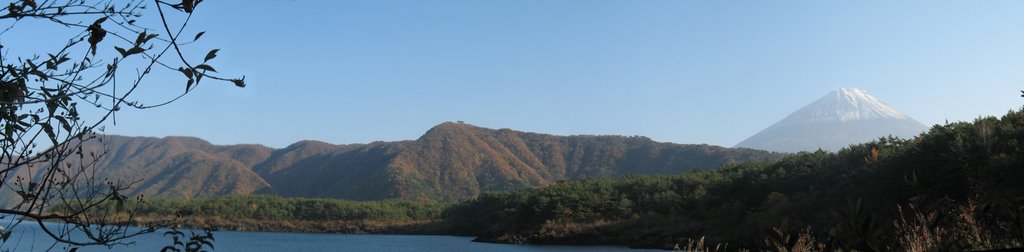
(452, 161)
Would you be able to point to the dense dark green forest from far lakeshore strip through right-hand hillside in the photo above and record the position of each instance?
(957, 187)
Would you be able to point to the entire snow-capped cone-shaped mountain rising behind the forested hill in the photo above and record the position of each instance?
(841, 118)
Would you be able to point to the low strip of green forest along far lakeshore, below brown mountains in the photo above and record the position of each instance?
(279, 215)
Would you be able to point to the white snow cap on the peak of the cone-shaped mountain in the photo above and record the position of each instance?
(843, 105)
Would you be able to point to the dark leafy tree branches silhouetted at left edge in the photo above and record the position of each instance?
(49, 147)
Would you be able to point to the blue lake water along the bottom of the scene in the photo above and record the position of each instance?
(28, 237)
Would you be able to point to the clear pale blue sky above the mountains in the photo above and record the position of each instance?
(686, 72)
